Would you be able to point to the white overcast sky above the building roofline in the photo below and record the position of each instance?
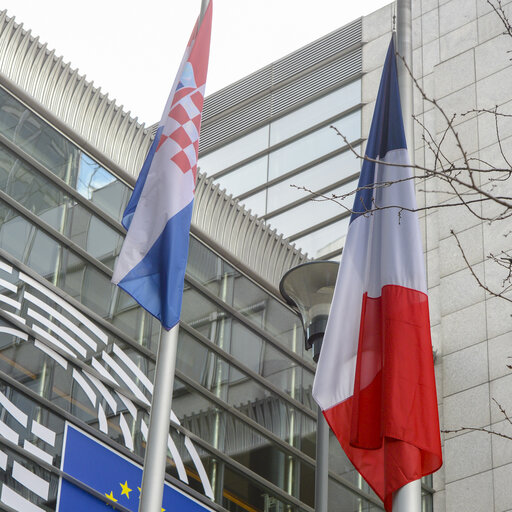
(132, 48)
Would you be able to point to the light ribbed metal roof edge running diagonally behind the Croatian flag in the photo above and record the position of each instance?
(79, 109)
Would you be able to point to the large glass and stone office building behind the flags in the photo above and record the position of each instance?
(76, 350)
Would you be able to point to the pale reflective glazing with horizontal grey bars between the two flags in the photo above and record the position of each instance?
(287, 170)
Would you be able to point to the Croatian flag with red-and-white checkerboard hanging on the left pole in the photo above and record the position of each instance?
(152, 262)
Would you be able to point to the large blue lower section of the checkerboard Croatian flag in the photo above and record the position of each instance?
(156, 283)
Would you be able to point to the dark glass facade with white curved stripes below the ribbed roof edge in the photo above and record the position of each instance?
(76, 349)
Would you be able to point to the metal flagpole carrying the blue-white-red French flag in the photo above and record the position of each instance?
(407, 498)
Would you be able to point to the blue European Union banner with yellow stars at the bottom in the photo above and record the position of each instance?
(112, 475)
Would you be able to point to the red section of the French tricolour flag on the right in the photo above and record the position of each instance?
(389, 428)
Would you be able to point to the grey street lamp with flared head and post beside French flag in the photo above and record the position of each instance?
(309, 288)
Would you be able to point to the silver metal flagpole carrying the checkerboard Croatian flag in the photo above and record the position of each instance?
(153, 477)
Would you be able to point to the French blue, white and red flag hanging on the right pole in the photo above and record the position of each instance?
(375, 376)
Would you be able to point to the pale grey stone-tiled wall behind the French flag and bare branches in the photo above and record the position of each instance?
(460, 58)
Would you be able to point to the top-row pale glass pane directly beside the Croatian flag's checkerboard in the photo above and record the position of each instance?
(234, 152)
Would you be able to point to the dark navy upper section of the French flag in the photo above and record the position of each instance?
(386, 133)
